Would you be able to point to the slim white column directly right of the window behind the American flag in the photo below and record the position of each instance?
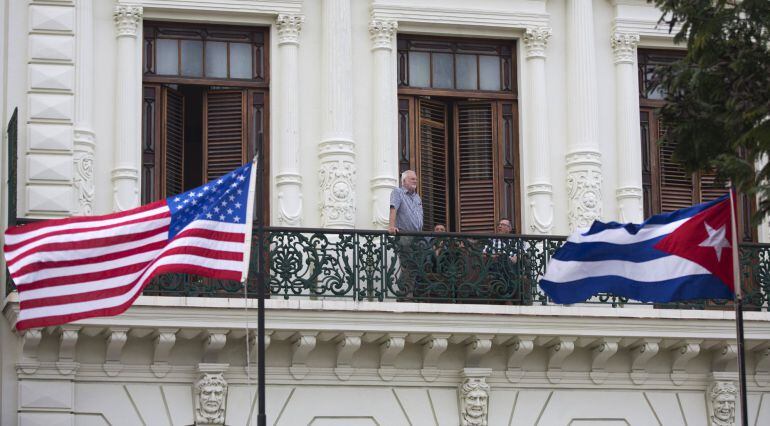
(288, 179)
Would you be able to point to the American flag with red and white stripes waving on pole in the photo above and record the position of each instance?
(83, 267)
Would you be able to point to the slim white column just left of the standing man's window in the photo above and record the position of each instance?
(384, 120)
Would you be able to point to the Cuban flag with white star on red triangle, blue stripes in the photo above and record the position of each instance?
(682, 255)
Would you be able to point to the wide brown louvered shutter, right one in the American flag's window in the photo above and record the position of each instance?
(224, 132)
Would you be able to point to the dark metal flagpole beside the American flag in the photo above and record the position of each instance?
(261, 418)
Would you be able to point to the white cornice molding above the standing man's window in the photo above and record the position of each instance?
(412, 13)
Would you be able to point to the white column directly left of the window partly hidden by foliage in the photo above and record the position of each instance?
(627, 135)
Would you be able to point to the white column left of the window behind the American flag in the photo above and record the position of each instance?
(125, 171)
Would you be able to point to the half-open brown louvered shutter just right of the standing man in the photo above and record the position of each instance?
(433, 161)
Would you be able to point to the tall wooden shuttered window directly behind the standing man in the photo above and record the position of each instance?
(458, 129)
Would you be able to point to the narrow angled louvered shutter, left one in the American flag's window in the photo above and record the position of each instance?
(172, 136)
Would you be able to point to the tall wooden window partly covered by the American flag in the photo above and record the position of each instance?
(204, 104)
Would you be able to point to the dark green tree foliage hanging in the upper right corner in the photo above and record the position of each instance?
(718, 95)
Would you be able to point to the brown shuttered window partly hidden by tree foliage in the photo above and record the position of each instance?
(665, 185)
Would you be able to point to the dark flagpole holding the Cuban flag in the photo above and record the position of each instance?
(738, 310)
